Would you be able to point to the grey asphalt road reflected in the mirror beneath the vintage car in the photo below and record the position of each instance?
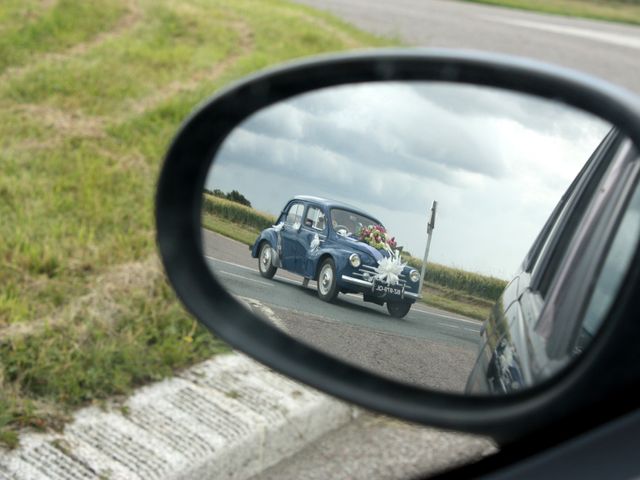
(428, 347)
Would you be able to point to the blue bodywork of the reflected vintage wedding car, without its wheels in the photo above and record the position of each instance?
(292, 240)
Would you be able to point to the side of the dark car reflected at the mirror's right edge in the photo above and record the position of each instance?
(590, 236)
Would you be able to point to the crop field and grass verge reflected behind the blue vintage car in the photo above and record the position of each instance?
(450, 289)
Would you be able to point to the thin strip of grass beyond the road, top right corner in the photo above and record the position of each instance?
(623, 11)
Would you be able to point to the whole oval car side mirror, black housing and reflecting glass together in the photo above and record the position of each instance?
(525, 160)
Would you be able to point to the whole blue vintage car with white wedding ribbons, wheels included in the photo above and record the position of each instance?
(316, 238)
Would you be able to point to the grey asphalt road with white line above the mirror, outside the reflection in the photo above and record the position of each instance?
(607, 50)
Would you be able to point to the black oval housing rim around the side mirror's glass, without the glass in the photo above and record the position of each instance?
(590, 391)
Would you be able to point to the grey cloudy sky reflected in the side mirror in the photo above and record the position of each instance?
(497, 162)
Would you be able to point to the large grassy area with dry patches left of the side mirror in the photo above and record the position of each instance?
(91, 94)
